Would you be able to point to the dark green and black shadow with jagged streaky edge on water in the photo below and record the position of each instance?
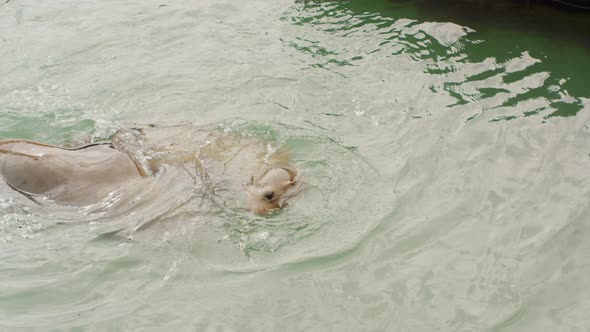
(547, 30)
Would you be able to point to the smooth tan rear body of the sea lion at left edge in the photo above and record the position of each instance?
(67, 176)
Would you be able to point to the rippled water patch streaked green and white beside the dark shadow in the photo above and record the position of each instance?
(502, 86)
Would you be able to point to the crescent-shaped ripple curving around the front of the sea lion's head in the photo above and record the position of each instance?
(343, 198)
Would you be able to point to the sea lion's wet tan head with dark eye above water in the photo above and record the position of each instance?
(272, 189)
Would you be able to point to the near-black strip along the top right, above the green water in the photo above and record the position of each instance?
(552, 18)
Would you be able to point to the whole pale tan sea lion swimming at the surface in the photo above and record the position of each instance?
(86, 175)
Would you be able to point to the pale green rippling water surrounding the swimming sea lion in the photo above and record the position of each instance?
(447, 169)
